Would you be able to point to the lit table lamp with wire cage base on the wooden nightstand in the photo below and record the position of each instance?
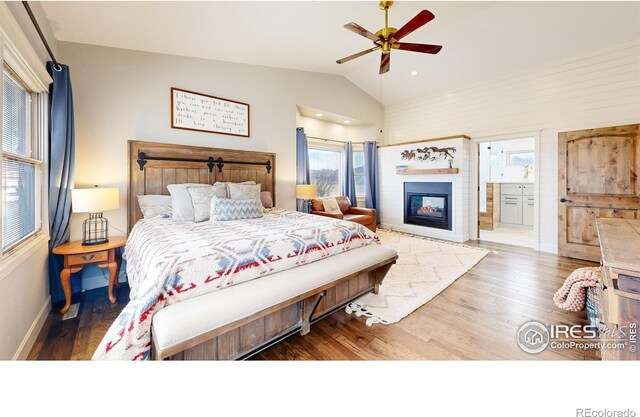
(95, 229)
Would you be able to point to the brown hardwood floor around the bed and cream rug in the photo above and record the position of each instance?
(477, 317)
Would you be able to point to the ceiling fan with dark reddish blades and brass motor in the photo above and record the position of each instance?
(387, 38)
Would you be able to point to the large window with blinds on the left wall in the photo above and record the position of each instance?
(21, 173)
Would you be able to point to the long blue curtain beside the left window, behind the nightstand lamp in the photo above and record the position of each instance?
(61, 161)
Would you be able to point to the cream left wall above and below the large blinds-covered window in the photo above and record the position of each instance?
(24, 277)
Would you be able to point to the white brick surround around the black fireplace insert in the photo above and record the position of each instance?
(391, 187)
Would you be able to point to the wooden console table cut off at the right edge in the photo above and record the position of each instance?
(619, 308)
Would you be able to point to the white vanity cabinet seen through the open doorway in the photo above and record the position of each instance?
(516, 203)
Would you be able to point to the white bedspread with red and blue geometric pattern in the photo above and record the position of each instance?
(169, 261)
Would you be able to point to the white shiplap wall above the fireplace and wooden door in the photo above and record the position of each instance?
(587, 91)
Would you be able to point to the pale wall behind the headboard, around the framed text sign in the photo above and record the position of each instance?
(122, 95)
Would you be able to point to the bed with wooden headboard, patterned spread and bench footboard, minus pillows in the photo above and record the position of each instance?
(242, 315)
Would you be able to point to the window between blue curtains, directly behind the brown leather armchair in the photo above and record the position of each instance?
(324, 171)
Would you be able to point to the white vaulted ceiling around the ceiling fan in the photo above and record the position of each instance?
(482, 40)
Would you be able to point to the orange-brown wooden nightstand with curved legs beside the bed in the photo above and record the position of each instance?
(76, 256)
